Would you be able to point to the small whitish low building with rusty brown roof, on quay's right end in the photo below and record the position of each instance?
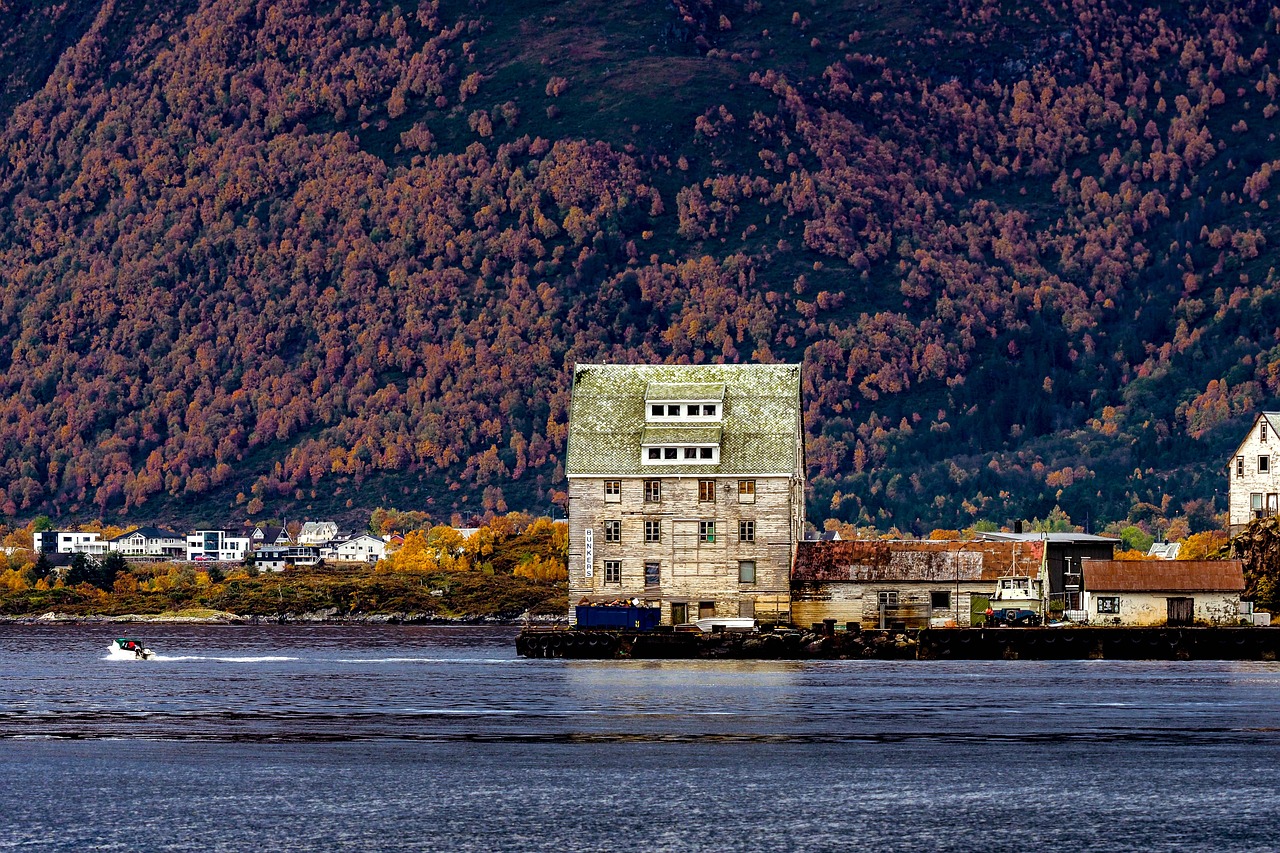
(1163, 592)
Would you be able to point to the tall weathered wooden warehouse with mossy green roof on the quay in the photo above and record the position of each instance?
(687, 487)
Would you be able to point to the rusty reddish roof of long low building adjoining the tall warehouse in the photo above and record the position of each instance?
(877, 560)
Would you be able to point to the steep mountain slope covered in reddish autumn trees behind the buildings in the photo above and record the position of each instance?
(271, 258)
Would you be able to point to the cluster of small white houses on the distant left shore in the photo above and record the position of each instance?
(272, 548)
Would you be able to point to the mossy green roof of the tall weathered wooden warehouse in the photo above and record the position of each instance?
(760, 432)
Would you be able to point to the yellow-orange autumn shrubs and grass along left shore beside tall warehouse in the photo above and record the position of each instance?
(510, 567)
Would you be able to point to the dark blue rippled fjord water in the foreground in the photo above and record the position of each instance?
(441, 738)
